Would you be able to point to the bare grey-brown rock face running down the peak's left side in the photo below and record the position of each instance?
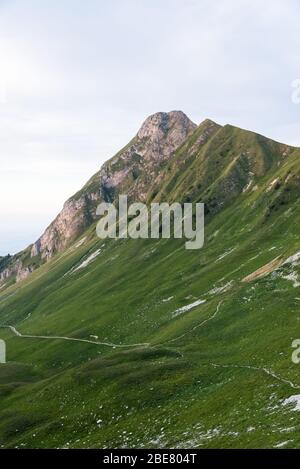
(132, 171)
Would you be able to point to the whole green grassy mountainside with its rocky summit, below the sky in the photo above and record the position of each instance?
(141, 343)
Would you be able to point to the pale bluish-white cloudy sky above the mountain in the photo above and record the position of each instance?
(77, 78)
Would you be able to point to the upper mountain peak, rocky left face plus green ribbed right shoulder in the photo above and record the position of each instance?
(169, 158)
